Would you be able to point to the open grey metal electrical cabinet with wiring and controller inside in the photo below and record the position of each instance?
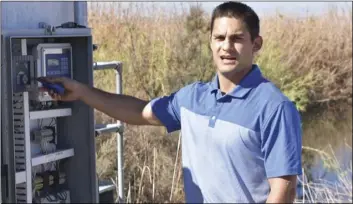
(48, 146)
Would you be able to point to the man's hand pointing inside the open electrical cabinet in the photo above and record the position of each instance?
(73, 89)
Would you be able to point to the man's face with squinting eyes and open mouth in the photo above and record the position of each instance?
(231, 45)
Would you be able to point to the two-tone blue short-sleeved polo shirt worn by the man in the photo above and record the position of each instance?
(231, 144)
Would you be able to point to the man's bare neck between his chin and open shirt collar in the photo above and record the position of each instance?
(228, 82)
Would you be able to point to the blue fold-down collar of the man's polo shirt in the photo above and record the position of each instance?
(251, 80)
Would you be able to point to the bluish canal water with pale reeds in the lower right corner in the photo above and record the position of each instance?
(327, 183)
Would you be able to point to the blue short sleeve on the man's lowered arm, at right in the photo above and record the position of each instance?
(282, 141)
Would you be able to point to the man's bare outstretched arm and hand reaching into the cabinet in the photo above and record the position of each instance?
(125, 108)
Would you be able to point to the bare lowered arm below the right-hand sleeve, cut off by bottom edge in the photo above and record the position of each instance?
(283, 189)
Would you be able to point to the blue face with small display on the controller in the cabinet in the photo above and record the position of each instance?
(58, 65)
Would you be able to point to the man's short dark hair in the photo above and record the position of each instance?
(240, 11)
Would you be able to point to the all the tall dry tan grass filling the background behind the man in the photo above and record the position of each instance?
(309, 58)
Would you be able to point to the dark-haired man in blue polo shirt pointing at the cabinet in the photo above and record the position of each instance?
(241, 137)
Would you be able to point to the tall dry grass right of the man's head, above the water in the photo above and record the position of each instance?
(310, 58)
